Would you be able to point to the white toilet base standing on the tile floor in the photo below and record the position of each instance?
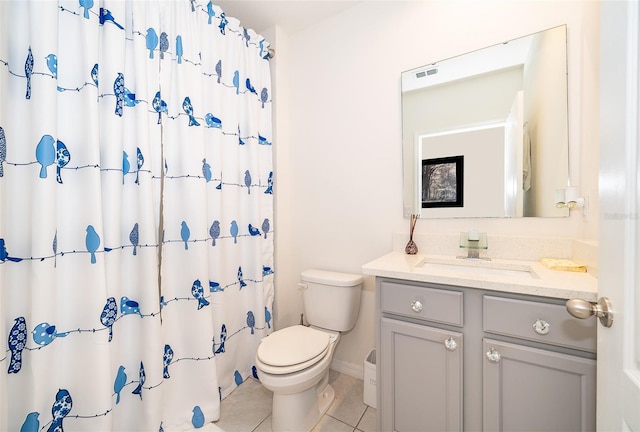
(300, 412)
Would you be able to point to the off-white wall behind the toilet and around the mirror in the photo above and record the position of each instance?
(338, 133)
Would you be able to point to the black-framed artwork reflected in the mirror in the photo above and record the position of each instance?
(442, 182)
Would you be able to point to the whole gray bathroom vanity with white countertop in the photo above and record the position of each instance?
(482, 345)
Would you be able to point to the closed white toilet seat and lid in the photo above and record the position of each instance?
(292, 349)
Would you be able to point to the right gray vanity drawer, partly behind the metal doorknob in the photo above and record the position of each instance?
(537, 321)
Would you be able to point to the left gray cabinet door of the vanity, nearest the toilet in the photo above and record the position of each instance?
(421, 378)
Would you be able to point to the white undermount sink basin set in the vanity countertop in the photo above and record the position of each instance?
(477, 267)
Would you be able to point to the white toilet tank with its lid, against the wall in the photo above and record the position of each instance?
(331, 300)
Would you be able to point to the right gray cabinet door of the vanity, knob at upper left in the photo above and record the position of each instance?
(529, 389)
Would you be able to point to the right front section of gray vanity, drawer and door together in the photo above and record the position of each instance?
(542, 388)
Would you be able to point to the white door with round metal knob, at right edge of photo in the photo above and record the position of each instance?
(619, 268)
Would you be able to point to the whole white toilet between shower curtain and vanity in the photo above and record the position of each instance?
(294, 362)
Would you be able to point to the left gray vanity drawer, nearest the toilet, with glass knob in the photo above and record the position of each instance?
(423, 303)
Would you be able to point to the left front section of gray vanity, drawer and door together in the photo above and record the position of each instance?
(422, 385)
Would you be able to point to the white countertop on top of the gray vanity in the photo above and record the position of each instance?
(545, 282)
